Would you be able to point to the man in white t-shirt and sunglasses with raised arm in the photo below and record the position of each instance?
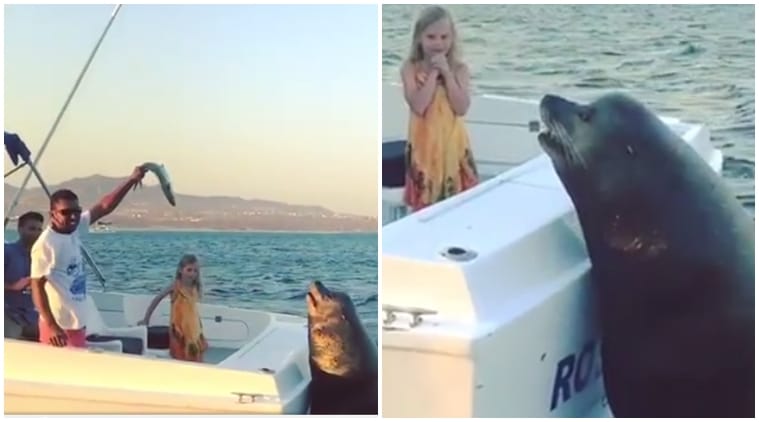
(59, 285)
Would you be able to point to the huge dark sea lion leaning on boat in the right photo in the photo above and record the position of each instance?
(672, 254)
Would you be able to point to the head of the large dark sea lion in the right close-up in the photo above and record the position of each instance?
(603, 143)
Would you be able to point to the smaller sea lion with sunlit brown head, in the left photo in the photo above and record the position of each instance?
(342, 357)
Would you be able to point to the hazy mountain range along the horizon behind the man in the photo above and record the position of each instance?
(148, 208)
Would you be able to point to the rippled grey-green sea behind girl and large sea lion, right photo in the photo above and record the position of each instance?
(695, 62)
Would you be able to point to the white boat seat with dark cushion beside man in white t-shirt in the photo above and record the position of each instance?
(134, 340)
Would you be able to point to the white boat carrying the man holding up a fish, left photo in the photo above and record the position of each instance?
(257, 363)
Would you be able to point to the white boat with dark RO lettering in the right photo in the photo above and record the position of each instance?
(499, 275)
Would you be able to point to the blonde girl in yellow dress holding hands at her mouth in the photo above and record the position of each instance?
(439, 161)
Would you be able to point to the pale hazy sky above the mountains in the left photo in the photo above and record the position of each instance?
(256, 101)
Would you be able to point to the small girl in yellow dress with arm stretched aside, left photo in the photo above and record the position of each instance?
(186, 339)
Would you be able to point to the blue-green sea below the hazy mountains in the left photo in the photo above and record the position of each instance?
(262, 271)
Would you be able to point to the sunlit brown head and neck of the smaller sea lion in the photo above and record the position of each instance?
(335, 333)
